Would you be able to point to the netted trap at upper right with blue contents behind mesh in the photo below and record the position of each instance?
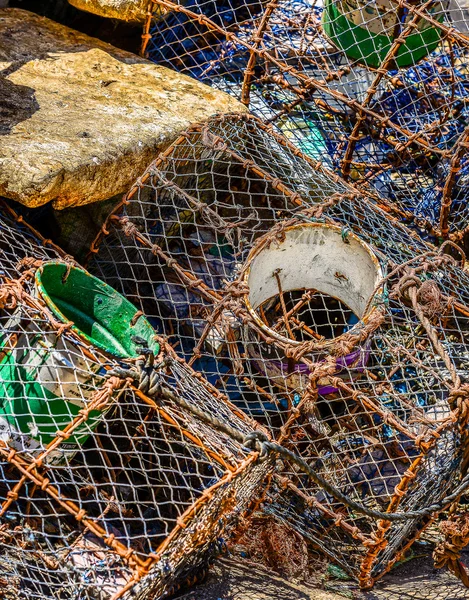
(376, 91)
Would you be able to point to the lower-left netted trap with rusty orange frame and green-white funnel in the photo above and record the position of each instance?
(111, 486)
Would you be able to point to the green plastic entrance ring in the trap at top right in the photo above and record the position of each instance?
(365, 30)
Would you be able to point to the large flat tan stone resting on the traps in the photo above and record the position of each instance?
(80, 119)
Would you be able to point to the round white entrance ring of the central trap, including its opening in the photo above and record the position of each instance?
(313, 276)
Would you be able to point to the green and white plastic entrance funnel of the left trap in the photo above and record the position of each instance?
(44, 378)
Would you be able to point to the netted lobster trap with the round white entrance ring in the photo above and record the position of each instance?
(315, 313)
